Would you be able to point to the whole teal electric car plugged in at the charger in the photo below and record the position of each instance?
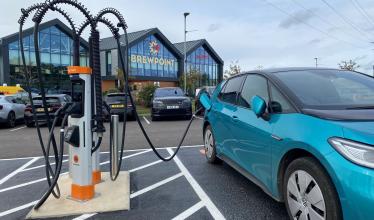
(304, 135)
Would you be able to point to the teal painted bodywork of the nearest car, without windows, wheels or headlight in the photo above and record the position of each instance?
(256, 148)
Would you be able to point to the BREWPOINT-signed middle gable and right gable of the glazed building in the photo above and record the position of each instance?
(154, 59)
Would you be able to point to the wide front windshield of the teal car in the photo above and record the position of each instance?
(330, 89)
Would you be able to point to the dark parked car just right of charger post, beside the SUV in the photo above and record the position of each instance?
(117, 105)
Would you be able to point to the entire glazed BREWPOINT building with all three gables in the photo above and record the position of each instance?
(153, 58)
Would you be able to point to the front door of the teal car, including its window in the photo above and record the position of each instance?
(253, 134)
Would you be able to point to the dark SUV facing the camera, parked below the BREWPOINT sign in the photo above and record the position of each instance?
(170, 102)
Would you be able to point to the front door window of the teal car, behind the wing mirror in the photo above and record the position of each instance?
(253, 85)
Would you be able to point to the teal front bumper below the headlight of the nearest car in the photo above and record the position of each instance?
(355, 186)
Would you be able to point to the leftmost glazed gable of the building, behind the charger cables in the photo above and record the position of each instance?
(56, 53)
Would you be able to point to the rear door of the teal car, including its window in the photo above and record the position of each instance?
(223, 111)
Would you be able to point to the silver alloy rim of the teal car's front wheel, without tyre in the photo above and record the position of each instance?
(304, 197)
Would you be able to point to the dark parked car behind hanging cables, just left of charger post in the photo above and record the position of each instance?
(54, 102)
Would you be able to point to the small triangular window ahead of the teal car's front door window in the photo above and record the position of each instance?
(279, 104)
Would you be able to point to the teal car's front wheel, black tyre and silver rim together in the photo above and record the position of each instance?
(306, 182)
